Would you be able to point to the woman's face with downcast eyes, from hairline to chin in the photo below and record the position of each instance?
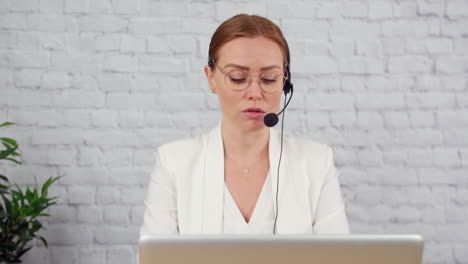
(256, 56)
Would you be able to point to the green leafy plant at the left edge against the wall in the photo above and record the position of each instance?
(19, 210)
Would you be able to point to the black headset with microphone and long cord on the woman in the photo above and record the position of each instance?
(272, 119)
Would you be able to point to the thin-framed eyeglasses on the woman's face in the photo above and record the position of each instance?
(239, 80)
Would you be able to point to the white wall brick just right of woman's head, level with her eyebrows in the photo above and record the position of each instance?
(315, 65)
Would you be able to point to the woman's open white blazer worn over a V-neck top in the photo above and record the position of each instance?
(185, 193)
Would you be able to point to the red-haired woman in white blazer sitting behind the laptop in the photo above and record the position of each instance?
(227, 181)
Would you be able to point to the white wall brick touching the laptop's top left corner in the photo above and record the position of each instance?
(111, 235)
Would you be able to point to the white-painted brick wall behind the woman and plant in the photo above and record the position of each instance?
(95, 86)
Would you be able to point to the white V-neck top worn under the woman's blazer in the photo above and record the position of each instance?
(263, 216)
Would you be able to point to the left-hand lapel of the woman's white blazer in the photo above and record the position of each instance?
(214, 184)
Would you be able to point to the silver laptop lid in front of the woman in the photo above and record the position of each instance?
(284, 249)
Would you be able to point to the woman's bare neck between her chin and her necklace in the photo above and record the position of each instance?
(241, 145)
